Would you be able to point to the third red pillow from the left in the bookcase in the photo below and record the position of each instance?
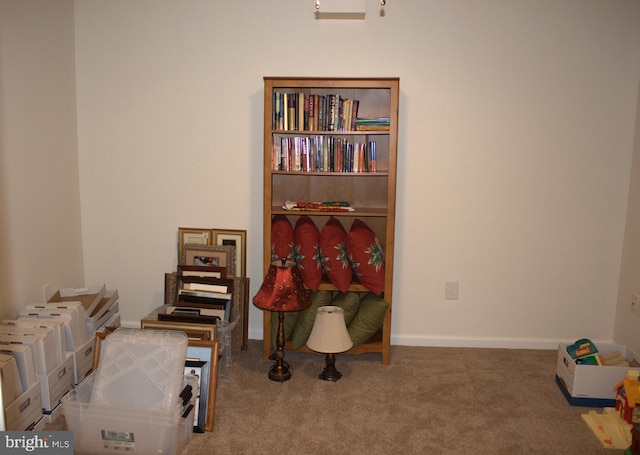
(335, 260)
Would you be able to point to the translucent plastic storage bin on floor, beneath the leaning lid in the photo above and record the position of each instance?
(99, 428)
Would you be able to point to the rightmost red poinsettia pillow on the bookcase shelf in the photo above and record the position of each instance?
(367, 256)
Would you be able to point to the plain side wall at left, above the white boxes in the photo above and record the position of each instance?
(40, 235)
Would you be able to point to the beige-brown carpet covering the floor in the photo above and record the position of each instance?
(427, 401)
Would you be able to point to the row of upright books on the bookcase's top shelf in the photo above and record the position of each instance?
(313, 112)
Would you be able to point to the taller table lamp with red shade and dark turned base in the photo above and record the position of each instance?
(282, 290)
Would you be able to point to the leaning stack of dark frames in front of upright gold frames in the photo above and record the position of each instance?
(200, 299)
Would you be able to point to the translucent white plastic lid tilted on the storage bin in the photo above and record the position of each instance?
(140, 369)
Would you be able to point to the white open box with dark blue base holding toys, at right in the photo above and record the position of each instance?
(591, 385)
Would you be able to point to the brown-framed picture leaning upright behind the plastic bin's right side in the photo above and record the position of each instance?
(202, 360)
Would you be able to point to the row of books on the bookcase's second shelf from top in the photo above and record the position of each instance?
(322, 154)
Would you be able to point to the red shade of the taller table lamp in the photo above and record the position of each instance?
(282, 289)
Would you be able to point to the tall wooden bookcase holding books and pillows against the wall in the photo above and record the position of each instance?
(322, 157)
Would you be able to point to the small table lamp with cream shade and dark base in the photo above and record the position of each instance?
(330, 336)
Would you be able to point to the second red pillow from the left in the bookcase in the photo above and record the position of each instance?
(306, 239)
